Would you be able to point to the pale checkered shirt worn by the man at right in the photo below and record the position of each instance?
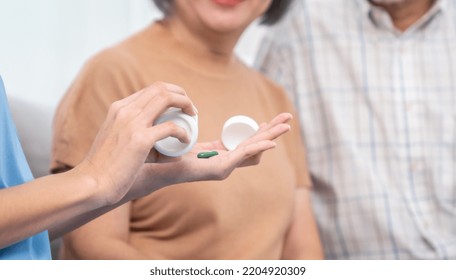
(378, 114)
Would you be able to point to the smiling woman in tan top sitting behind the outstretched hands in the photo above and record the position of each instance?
(261, 212)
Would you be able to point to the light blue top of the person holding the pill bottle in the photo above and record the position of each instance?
(14, 170)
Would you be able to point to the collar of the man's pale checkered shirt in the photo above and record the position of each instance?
(381, 18)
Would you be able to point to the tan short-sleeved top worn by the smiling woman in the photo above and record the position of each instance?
(245, 216)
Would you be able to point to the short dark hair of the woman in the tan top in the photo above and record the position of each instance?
(274, 13)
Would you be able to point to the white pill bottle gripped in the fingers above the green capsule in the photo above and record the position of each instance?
(171, 146)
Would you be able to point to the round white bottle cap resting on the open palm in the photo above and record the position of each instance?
(236, 129)
